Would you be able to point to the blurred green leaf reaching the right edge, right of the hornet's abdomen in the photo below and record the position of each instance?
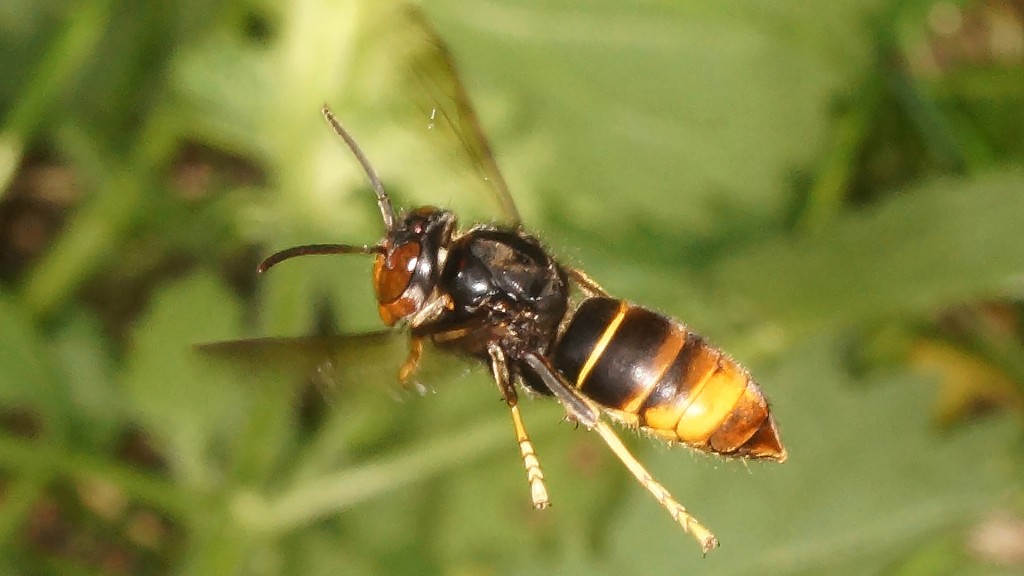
(945, 243)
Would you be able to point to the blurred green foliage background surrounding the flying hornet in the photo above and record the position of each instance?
(834, 193)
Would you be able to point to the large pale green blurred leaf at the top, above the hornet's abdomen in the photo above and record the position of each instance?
(661, 112)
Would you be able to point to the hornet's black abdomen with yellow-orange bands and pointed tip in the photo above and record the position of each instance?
(668, 381)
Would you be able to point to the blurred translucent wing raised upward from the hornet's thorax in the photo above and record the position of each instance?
(420, 86)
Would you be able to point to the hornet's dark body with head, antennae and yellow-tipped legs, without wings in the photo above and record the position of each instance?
(494, 294)
